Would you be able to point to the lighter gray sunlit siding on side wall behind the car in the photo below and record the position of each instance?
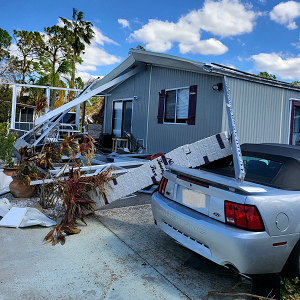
(261, 111)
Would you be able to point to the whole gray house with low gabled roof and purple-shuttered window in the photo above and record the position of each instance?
(175, 101)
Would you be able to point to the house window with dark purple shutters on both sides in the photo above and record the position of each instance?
(177, 105)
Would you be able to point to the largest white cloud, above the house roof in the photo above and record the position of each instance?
(223, 18)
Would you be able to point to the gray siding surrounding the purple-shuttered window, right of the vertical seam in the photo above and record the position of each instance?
(166, 137)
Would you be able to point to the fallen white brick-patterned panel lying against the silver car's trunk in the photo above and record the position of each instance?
(190, 156)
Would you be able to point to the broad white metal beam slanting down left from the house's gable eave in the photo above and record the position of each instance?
(85, 97)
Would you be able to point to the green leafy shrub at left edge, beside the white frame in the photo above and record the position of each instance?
(7, 141)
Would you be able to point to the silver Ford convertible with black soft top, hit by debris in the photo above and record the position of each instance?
(251, 227)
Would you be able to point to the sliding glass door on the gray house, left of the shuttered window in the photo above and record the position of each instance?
(122, 117)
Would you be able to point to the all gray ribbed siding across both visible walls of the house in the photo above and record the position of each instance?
(262, 112)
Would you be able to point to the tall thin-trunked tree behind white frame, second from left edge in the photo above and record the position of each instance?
(27, 43)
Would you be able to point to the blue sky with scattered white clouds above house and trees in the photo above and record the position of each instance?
(252, 36)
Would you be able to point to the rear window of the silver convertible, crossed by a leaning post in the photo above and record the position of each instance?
(257, 169)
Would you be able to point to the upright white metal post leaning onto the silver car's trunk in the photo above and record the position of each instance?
(236, 149)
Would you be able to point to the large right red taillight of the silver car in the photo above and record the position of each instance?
(243, 216)
